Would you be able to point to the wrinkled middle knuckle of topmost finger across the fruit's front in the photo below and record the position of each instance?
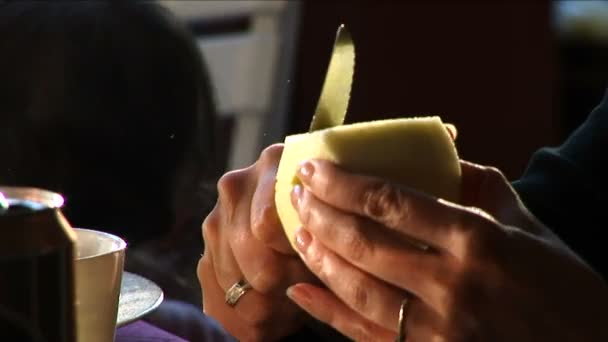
(383, 201)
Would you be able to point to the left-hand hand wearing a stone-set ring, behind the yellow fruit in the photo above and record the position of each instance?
(244, 240)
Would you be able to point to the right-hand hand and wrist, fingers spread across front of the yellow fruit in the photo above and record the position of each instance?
(491, 271)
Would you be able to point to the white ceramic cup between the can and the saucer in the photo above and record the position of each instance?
(98, 275)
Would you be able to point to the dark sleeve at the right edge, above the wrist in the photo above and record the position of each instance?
(566, 188)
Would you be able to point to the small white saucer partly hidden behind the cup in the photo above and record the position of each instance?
(138, 297)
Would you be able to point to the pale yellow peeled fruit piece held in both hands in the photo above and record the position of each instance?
(415, 152)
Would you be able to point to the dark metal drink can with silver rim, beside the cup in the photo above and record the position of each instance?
(36, 267)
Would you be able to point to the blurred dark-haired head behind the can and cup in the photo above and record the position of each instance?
(108, 103)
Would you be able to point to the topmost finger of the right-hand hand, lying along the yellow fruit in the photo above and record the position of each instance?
(407, 211)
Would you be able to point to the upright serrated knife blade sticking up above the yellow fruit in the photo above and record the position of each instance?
(335, 94)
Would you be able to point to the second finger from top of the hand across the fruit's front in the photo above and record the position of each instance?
(374, 249)
